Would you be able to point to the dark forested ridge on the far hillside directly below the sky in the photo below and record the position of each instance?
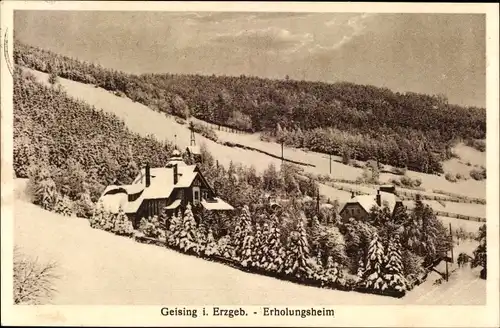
(354, 121)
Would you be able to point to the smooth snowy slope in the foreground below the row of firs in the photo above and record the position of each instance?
(99, 268)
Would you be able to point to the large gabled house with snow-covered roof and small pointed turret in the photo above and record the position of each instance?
(154, 189)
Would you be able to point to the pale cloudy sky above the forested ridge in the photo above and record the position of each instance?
(424, 53)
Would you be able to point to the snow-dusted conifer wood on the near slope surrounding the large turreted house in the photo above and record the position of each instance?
(71, 151)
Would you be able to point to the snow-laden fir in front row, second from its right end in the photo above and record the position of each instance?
(374, 275)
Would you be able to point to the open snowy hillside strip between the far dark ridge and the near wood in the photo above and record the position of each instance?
(143, 120)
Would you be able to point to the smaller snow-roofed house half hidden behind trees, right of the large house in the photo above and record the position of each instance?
(359, 207)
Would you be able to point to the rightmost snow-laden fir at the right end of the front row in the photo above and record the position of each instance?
(394, 266)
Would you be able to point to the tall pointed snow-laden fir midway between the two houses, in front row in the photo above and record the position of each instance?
(296, 263)
